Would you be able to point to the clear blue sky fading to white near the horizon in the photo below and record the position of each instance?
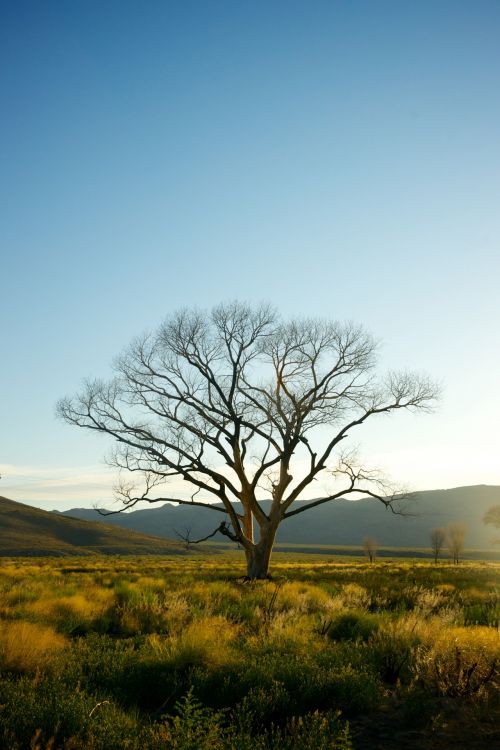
(339, 159)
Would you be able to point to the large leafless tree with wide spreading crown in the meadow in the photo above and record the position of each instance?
(240, 405)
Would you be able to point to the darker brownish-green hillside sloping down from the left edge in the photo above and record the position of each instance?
(30, 531)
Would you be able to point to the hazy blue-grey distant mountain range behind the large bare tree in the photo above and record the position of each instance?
(341, 522)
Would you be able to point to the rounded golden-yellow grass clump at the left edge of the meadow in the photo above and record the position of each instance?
(25, 647)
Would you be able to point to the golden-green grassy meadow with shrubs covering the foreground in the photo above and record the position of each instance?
(148, 653)
